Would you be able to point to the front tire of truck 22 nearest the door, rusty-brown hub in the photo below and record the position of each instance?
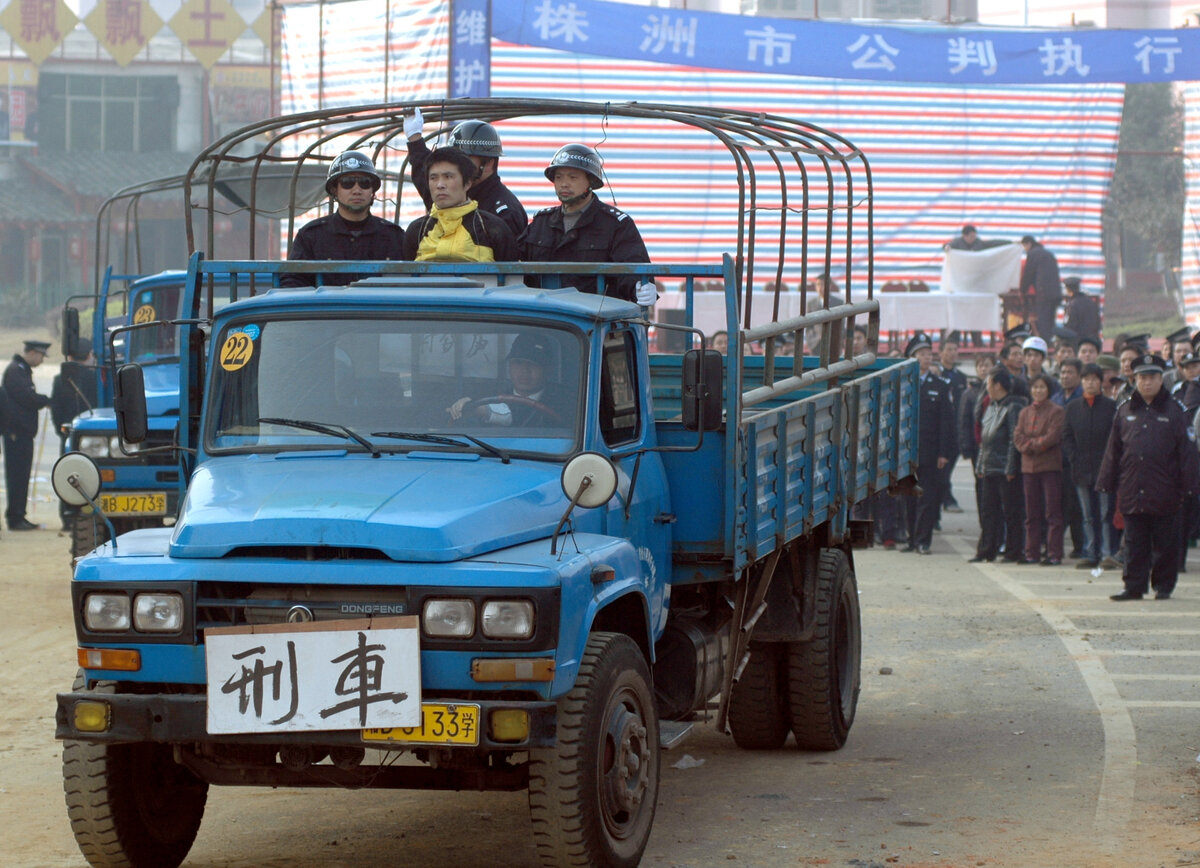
(592, 798)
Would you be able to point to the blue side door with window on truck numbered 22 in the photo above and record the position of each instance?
(638, 513)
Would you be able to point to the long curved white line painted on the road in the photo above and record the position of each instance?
(1115, 801)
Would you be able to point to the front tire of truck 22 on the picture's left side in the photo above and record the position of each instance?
(131, 806)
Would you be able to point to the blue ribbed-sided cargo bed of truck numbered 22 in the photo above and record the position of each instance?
(841, 445)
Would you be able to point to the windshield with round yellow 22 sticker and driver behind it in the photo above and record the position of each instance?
(513, 387)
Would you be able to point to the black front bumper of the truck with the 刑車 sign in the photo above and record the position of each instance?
(181, 719)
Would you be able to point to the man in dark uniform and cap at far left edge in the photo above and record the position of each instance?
(22, 404)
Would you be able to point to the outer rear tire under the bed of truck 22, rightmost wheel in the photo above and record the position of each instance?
(824, 673)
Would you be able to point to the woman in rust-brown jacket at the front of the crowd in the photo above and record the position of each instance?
(1039, 438)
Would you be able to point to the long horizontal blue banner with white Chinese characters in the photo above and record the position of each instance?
(851, 51)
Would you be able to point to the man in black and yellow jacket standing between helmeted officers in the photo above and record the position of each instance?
(457, 230)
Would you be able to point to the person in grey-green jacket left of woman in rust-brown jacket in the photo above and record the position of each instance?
(999, 468)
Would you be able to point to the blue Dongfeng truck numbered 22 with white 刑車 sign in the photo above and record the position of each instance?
(539, 592)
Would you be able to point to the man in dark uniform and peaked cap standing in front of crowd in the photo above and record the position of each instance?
(1153, 465)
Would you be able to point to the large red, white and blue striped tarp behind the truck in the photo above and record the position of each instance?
(1013, 161)
